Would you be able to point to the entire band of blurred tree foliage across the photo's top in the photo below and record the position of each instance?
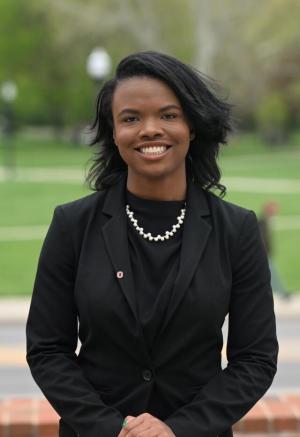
(44, 46)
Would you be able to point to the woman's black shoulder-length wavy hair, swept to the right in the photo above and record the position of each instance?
(209, 116)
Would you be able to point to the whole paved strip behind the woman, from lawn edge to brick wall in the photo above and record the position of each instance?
(16, 380)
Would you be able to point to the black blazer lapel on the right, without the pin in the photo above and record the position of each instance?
(195, 235)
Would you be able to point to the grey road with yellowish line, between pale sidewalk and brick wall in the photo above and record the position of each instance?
(16, 380)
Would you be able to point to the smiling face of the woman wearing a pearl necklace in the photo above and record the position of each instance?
(150, 128)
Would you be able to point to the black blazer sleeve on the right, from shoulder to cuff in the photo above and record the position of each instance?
(252, 346)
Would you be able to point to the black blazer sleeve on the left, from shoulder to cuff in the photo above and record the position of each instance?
(52, 339)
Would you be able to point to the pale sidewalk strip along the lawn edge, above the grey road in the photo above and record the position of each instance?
(15, 310)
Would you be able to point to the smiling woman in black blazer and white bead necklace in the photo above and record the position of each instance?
(150, 265)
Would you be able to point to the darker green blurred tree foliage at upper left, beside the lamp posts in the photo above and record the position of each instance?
(50, 89)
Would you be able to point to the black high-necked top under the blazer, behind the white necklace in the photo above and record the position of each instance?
(154, 263)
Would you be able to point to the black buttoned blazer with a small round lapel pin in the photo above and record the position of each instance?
(223, 269)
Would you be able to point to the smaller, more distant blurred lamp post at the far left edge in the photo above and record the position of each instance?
(9, 93)
